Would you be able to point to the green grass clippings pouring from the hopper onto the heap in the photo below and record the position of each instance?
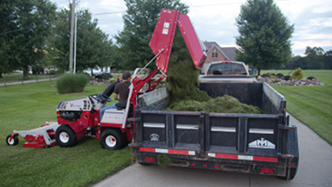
(182, 87)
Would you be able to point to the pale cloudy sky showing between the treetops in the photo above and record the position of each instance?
(214, 20)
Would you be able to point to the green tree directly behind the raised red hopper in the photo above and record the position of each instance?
(139, 23)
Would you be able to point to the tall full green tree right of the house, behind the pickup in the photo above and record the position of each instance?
(264, 35)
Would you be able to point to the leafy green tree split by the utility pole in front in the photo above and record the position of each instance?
(93, 47)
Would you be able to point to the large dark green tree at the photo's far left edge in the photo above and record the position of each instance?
(28, 25)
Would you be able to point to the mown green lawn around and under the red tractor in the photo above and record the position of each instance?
(28, 106)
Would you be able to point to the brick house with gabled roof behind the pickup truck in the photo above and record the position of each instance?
(216, 53)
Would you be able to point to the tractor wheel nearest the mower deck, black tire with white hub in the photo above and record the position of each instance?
(65, 136)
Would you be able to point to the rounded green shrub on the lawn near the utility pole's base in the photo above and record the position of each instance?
(70, 83)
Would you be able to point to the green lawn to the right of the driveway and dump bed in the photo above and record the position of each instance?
(312, 105)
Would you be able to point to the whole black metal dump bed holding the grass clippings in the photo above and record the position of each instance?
(252, 143)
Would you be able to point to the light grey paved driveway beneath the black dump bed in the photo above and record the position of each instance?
(315, 169)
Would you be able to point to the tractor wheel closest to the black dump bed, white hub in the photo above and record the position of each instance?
(112, 139)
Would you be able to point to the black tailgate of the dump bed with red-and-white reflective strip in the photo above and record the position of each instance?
(247, 137)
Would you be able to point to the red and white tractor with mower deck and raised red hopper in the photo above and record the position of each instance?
(82, 117)
